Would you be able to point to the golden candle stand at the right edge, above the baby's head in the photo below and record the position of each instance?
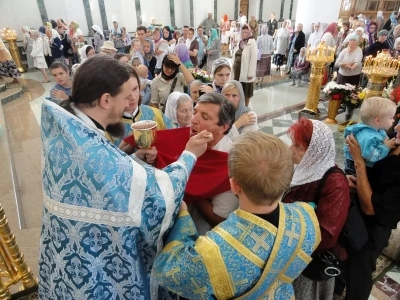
(378, 71)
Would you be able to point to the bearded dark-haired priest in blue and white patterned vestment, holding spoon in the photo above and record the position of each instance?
(105, 213)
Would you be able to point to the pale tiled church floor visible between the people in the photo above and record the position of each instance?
(276, 106)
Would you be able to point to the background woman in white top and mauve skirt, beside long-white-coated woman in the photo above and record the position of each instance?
(265, 44)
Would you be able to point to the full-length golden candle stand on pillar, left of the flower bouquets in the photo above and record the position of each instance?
(318, 57)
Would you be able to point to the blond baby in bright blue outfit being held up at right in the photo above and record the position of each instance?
(377, 117)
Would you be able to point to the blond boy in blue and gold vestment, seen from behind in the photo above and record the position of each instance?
(260, 248)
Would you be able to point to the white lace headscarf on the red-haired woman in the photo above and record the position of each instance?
(319, 157)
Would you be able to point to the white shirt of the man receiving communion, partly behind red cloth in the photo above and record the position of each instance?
(223, 204)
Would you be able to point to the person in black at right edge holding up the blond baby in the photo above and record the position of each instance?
(379, 201)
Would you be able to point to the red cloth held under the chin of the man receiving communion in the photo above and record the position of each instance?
(209, 176)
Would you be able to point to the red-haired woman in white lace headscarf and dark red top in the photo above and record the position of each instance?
(316, 179)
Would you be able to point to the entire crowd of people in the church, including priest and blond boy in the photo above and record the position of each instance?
(214, 208)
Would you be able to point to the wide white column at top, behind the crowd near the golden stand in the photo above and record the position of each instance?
(310, 11)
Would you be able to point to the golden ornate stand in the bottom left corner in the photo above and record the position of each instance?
(13, 267)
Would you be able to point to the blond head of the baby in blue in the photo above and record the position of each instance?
(378, 112)
